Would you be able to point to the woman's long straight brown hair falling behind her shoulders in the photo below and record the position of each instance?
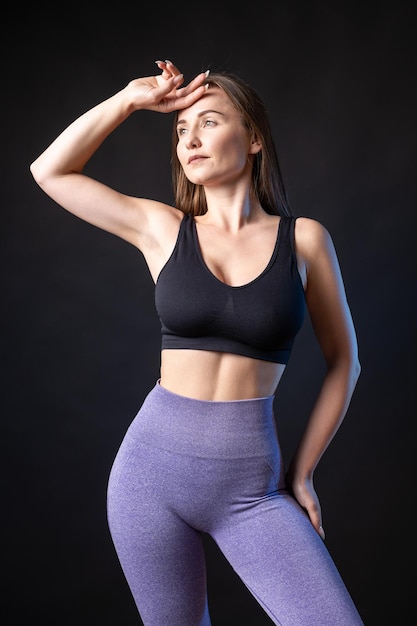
(267, 180)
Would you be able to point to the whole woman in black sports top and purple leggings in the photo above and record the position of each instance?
(234, 274)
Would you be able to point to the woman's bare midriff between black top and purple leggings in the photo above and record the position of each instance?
(218, 376)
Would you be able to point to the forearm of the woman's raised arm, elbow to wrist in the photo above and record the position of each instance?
(72, 149)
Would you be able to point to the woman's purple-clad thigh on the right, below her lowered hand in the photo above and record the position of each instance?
(273, 547)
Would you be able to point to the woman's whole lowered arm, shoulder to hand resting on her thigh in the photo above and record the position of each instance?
(334, 329)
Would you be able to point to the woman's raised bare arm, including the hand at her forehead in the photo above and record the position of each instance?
(58, 170)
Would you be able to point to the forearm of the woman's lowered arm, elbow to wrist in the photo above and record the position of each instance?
(326, 417)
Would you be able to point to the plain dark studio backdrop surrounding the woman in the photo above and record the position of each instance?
(80, 336)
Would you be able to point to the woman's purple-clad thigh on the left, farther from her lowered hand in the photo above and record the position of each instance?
(162, 557)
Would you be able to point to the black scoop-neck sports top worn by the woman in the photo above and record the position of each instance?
(200, 312)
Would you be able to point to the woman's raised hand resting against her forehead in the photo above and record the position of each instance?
(163, 92)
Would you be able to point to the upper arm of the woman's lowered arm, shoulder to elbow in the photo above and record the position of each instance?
(325, 292)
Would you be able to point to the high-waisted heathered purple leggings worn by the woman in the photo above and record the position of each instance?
(187, 467)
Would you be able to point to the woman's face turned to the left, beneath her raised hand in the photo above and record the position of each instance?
(213, 144)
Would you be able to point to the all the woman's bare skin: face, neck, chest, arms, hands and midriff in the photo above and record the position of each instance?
(236, 237)
